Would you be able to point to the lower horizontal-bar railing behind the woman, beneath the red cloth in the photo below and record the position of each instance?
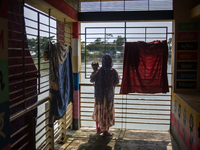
(132, 111)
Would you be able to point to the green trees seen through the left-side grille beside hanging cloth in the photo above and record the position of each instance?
(33, 44)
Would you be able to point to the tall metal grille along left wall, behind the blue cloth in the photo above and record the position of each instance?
(27, 38)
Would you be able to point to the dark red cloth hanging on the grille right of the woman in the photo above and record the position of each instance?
(145, 67)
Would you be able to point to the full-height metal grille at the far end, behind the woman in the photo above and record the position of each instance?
(132, 111)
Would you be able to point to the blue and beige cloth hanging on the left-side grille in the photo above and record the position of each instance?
(60, 79)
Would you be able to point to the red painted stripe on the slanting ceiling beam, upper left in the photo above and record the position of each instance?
(64, 7)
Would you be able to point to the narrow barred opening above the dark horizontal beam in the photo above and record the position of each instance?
(124, 5)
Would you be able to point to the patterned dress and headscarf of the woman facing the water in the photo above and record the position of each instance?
(105, 82)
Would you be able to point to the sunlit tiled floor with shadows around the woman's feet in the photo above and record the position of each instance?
(87, 139)
